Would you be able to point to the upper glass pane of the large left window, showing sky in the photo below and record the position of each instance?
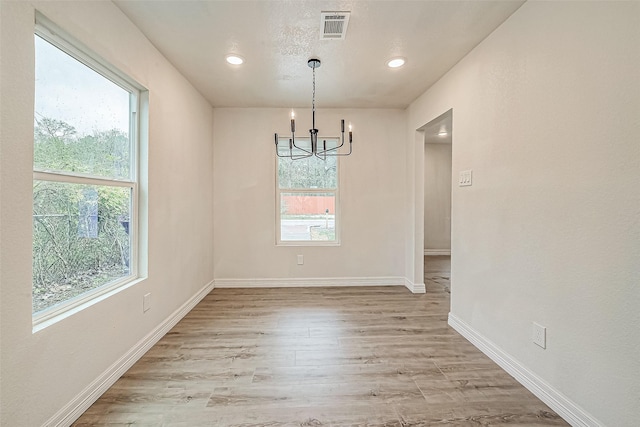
(81, 118)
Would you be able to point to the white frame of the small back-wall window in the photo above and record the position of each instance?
(280, 191)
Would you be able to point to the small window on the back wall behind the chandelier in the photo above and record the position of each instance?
(307, 197)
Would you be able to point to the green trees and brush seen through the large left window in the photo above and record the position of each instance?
(80, 232)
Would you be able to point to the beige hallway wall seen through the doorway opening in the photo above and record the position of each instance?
(437, 197)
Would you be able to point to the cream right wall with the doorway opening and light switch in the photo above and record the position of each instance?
(546, 114)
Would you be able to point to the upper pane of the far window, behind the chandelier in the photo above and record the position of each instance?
(310, 172)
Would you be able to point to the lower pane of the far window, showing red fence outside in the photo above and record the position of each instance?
(307, 216)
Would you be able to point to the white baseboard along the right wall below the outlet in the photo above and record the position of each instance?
(563, 406)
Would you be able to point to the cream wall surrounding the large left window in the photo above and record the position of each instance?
(42, 372)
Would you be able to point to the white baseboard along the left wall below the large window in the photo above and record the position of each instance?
(78, 405)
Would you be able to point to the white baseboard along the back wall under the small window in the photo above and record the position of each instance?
(309, 282)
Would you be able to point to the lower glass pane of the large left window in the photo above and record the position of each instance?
(80, 239)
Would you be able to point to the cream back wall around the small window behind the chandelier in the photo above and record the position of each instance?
(372, 198)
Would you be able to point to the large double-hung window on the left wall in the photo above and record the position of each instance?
(85, 176)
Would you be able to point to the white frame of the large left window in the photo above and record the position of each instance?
(51, 33)
